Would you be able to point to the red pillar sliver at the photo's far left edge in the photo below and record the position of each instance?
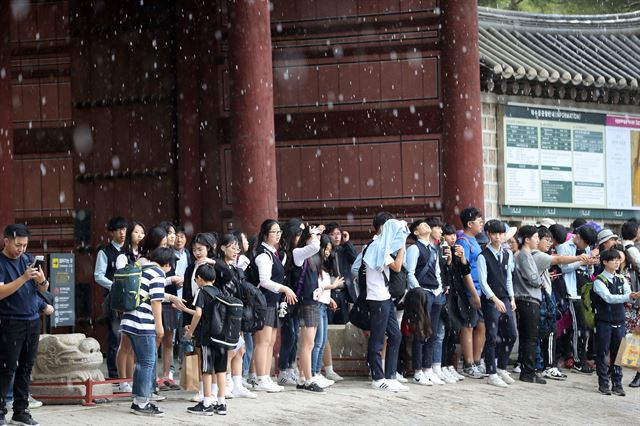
(7, 204)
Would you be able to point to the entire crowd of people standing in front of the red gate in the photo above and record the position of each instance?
(568, 295)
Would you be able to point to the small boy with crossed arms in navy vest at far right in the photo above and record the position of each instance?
(610, 292)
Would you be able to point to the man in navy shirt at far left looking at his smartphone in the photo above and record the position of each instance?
(20, 281)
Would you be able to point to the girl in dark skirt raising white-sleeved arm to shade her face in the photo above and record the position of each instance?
(307, 268)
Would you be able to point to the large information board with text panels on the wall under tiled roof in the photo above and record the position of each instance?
(569, 160)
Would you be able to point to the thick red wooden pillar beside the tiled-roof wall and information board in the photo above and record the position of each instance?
(463, 183)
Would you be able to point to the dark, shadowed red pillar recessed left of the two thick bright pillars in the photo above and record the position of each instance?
(189, 158)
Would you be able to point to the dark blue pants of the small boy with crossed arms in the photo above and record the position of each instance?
(608, 339)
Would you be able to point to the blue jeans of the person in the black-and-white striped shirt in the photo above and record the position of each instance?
(144, 375)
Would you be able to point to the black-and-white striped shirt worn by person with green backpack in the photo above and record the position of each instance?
(140, 321)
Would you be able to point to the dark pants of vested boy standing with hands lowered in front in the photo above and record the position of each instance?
(500, 334)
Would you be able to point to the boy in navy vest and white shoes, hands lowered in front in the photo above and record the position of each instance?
(495, 267)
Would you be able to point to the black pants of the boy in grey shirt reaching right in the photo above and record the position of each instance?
(528, 319)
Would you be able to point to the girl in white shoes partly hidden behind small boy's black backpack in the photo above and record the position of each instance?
(230, 280)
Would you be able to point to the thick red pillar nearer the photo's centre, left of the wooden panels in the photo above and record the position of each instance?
(252, 125)
